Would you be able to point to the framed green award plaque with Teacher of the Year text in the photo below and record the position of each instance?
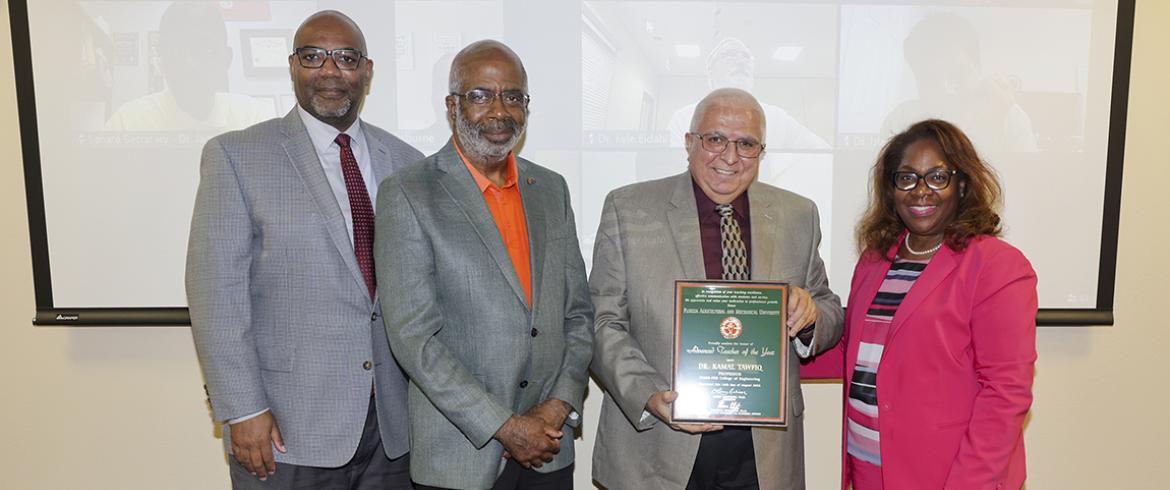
(731, 353)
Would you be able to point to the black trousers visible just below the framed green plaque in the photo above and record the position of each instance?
(726, 461)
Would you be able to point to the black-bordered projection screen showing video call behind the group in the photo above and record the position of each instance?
(118, 98)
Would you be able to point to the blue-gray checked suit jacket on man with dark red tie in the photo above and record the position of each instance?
(279, 310)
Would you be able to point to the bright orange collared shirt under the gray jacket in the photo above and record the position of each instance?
(508, 211)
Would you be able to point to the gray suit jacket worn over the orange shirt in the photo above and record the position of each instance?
(459, 322)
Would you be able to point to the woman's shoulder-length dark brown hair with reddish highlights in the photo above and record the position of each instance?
(979, 204)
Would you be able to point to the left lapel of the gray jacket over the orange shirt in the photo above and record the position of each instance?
(460, 188)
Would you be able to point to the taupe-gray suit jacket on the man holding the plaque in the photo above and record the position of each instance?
(648, 239)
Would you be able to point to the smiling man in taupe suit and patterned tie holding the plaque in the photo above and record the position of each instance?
(686, 227)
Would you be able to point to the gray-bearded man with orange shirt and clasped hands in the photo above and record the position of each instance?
(484, 285)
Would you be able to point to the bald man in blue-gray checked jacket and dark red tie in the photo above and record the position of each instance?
(281, 287)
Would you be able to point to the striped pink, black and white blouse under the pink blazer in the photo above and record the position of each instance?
(864, 438)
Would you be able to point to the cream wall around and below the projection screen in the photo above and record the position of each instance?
(123, 409)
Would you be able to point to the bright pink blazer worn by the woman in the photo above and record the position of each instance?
(955, 381)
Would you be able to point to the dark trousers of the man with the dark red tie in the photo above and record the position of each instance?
(368, 471)
